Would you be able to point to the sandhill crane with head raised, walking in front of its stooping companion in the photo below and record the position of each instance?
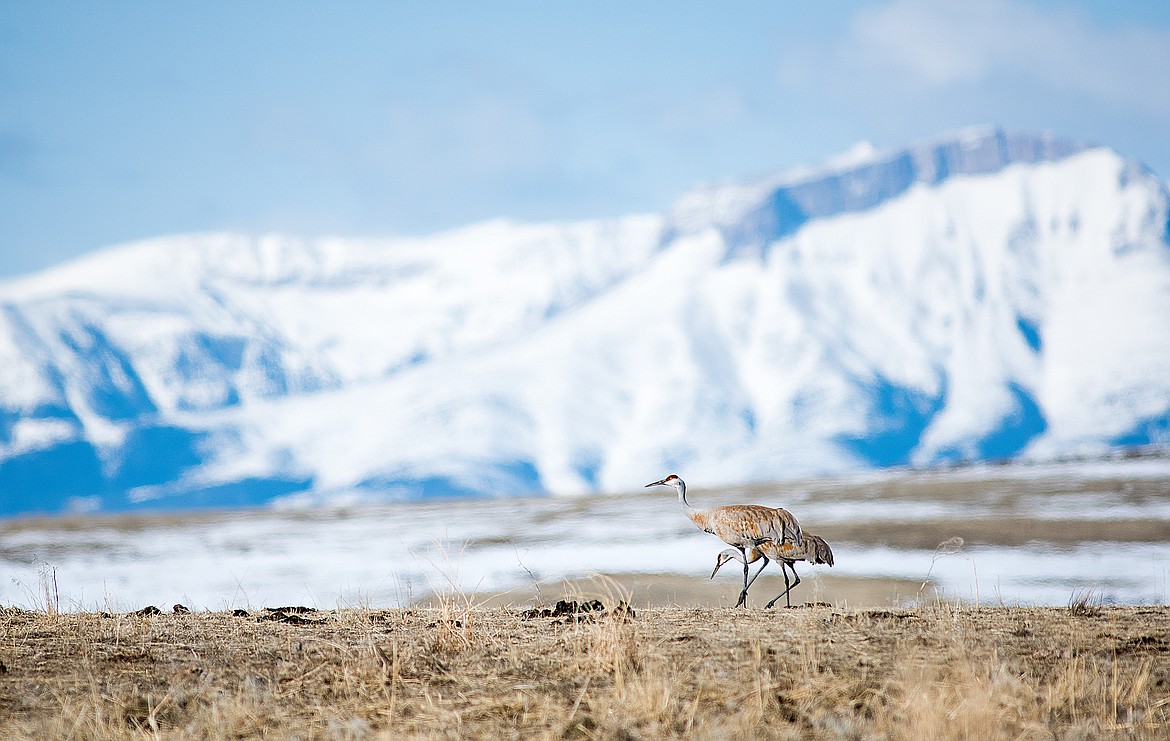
(741, 526)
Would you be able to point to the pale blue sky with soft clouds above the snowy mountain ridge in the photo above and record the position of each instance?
(122, 121)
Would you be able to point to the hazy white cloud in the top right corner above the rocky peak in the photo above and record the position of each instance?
(987, 51)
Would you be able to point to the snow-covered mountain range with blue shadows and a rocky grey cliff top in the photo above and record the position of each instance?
(982, 297)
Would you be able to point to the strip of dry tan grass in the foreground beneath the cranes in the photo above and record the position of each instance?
(460, 671)
